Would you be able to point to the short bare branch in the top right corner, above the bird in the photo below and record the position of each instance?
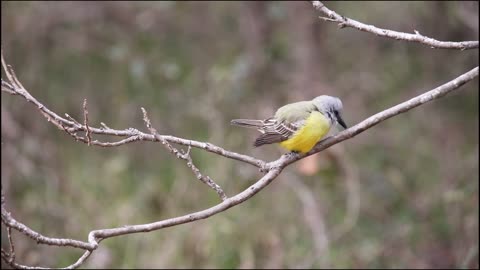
(342, 21)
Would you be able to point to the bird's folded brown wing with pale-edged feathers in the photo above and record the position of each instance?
(277, 131)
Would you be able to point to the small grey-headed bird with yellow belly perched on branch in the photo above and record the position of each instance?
(298, 126)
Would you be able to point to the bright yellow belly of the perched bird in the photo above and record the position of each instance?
(316, 126)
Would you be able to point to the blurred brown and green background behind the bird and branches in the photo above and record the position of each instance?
(402, 194)
